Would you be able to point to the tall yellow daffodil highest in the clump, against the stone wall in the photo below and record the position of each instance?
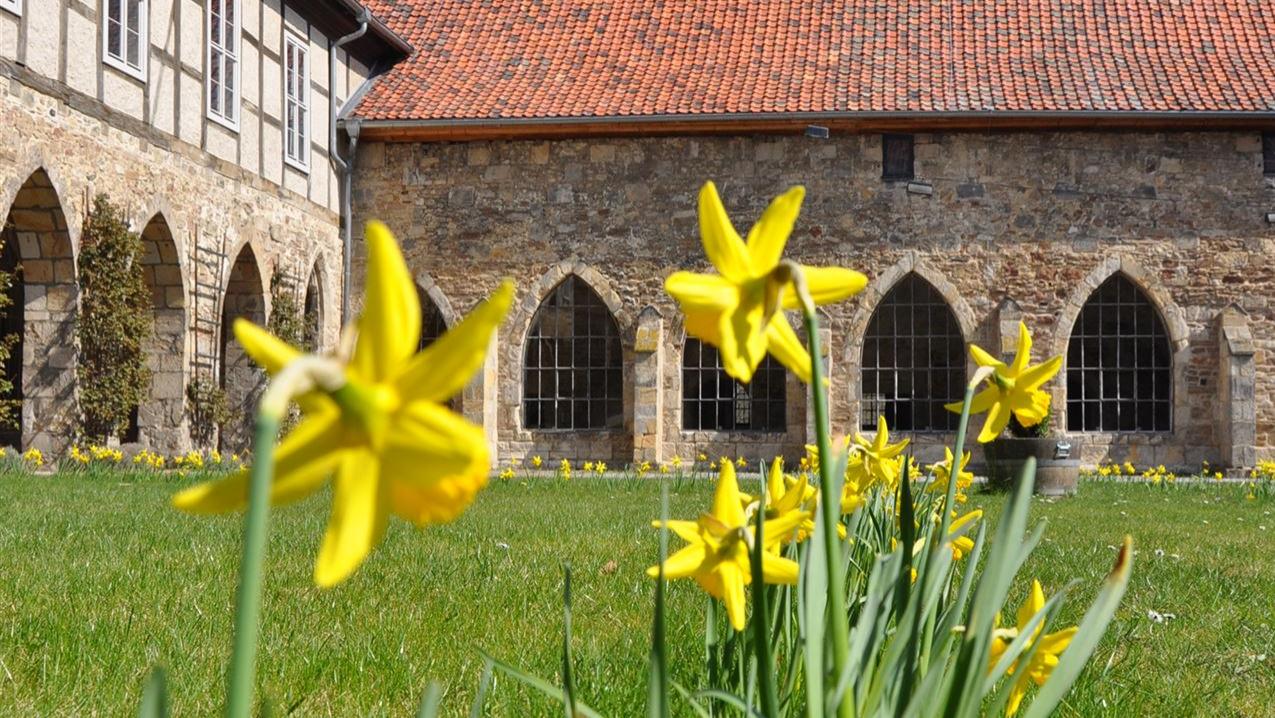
(739, 311)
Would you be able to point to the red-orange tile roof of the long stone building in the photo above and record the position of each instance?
(586, 59)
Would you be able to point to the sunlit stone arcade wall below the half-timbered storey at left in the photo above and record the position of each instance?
(54, 159)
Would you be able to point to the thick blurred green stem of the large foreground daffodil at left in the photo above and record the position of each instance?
(248, 599)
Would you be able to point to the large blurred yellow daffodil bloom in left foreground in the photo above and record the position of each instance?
(386, 437)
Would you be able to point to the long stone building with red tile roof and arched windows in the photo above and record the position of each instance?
(1102, 173)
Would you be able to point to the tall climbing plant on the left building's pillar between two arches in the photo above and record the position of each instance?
(115, 325)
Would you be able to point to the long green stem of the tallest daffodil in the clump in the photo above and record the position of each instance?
(829, 504)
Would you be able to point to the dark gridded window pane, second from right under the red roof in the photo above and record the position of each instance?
(914, 360)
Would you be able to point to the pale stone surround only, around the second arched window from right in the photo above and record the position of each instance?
(868, 304)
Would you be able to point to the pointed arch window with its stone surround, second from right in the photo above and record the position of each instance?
(898, 370)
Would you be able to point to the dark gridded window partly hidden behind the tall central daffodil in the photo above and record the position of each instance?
(712, 401)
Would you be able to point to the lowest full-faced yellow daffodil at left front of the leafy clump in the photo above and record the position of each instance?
(718, 549)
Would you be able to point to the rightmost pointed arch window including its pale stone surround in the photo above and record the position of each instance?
(1125, 346)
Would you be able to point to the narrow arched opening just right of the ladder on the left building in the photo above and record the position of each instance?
(244, 297)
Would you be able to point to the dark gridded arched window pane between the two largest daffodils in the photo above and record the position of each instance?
(573, 370)
